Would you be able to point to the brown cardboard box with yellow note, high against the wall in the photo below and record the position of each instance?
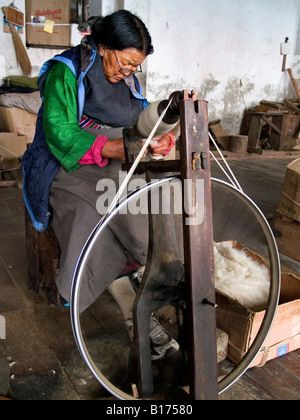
(48, 22)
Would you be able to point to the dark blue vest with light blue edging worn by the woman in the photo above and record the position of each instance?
(117, 105)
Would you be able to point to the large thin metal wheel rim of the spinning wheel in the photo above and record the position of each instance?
(268, 319)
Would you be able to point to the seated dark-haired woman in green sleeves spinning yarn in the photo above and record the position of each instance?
(90, 92)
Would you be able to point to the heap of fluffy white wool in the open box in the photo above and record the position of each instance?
(240, 277)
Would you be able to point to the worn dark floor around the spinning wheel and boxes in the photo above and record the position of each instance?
(39, 346)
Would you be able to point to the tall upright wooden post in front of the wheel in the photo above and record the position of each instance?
(198, 249)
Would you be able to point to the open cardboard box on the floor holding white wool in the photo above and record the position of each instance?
(243, 324)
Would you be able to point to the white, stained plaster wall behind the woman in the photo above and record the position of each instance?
(228, 50)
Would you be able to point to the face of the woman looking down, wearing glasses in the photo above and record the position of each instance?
(119, 64)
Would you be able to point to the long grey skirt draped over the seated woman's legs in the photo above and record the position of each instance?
(73, 199)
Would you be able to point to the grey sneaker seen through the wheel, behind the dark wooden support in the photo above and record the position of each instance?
(161, 342)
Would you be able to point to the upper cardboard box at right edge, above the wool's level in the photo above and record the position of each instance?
(289, 204)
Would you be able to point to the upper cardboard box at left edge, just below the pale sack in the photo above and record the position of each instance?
(17, 120)
